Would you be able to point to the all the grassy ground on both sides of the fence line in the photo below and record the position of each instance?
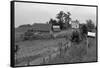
(32, 52)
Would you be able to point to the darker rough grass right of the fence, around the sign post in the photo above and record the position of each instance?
(89, 57)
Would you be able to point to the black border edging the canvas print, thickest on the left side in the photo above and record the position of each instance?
(12, 62)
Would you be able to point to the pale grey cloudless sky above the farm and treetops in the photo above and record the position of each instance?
(30, 13)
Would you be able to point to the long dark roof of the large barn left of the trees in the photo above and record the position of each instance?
(41, 27)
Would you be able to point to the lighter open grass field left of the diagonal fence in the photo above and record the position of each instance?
(32, 48)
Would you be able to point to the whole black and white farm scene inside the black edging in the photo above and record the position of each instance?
(51, 33)
